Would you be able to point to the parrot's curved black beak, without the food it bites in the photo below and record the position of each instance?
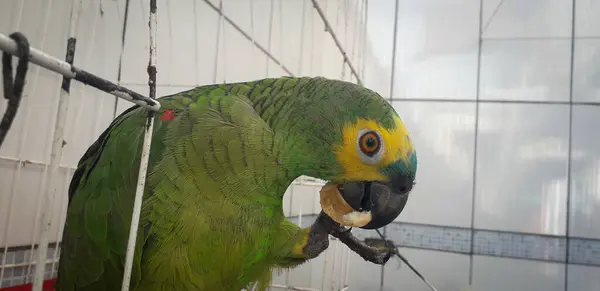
(385, 199)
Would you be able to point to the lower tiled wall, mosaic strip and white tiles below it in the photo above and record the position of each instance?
(444, 256)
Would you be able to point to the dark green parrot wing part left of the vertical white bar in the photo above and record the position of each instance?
(100, 205)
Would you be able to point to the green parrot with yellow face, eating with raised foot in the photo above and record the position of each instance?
(221, 160)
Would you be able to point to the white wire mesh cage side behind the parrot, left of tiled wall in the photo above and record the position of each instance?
(191, 43)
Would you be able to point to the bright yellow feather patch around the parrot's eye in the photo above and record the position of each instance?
(396, 146)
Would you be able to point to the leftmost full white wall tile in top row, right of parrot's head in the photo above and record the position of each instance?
(436, 54)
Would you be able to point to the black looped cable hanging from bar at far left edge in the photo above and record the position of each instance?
(13, 89)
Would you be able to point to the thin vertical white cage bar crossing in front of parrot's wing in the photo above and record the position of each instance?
(141, 182)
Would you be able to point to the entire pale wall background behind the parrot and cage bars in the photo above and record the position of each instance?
(501, 97)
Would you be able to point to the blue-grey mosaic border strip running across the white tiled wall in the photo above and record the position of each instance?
(486, 242)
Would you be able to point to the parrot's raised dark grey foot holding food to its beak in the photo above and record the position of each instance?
(378, 256)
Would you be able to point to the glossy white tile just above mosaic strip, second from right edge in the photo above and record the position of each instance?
(522, 168)
